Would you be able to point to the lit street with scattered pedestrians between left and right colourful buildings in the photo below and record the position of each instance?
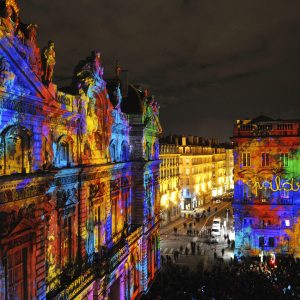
(177, 244)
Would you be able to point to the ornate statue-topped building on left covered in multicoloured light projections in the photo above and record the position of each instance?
(79, 176)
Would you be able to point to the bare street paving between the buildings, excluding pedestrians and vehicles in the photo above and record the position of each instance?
(171, 242)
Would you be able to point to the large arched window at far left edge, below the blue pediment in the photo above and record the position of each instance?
(15, 152)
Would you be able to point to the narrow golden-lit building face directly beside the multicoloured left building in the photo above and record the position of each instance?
(169, 181)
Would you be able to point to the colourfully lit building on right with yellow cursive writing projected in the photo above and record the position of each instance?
(266, 186)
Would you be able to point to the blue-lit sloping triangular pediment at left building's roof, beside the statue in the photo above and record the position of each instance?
(16, 74)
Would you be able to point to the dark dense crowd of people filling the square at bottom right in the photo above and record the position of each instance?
(246, 279)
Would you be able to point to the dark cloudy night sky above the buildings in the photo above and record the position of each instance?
(209, 62)
